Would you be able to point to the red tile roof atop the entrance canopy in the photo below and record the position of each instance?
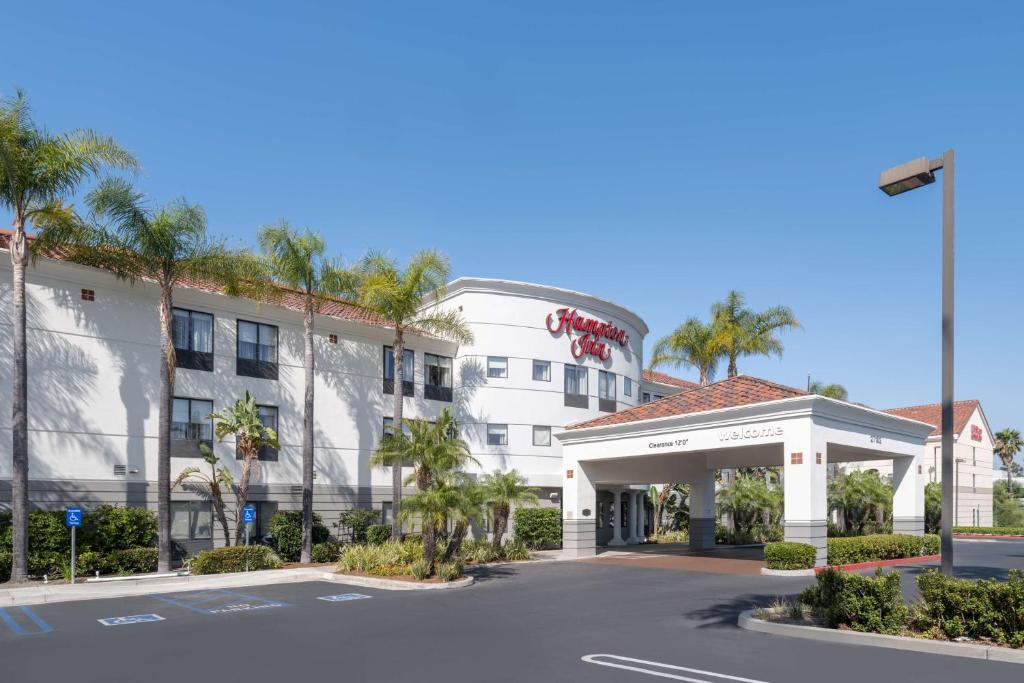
(742, 391)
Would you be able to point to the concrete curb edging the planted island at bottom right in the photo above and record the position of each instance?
(751, 623)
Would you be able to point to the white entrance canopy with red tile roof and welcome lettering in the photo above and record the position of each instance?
(739, 422)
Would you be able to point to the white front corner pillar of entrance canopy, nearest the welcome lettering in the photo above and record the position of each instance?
(805, 488)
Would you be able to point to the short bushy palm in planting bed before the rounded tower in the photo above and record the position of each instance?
(436, 452)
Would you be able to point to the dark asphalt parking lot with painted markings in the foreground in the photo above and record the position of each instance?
(551, 622)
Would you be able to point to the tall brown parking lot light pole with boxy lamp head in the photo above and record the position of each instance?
(895, 182)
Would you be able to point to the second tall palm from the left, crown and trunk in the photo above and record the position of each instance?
(168, 246)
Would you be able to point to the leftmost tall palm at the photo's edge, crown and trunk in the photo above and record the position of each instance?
(38, 172)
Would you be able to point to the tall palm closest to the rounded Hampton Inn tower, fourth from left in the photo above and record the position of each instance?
(399, 297)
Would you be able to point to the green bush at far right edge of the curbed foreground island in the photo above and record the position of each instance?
(980, 610)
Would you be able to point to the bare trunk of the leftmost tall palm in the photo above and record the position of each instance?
(20, 423)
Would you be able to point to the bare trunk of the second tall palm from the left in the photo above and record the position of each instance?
(164, 433)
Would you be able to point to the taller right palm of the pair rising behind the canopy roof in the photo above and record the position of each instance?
(743, 332)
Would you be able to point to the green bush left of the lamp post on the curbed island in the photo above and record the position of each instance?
(863, 604)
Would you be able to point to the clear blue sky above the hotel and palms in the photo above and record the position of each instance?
(656, 154)
